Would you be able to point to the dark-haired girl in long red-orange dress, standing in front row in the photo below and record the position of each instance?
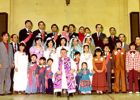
(99, 82)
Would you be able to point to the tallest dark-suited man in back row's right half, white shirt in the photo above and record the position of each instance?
(98, 36)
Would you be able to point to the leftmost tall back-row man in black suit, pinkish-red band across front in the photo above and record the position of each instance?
(25, 35)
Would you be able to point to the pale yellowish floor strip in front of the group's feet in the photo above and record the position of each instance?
(76, 97)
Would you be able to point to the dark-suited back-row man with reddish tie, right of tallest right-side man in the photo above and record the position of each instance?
(112, 38)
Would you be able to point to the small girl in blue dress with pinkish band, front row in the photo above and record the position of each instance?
(85, 84)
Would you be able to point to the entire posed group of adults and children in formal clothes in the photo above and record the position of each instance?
(68, 63)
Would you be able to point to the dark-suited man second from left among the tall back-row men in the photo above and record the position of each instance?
(40, 32)
